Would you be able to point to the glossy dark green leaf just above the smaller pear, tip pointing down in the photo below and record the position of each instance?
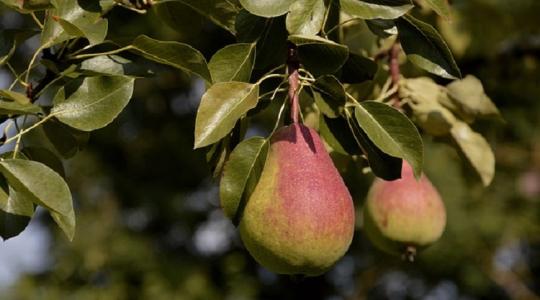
(392, 132)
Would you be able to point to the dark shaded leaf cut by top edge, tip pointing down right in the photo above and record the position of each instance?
(222, 13)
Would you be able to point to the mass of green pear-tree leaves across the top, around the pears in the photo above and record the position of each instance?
(82, 75)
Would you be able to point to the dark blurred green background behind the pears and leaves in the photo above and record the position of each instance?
(149, 222)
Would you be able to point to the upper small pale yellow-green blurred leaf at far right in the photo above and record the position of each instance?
(469, 97)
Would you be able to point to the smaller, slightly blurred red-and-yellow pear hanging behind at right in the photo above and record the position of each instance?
(404, 215)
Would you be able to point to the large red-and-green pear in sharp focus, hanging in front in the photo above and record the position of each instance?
(300, 217)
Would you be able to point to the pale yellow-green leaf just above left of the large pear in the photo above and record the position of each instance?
(221, 106)
